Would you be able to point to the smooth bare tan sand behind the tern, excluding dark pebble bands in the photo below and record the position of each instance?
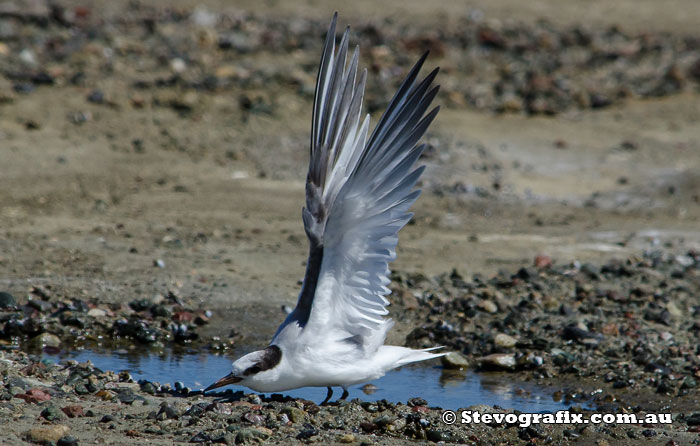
(216, 193)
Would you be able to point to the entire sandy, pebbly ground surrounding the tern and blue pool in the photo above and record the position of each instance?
(151, 188)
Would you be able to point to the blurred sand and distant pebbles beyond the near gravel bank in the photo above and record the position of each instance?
(149, 144)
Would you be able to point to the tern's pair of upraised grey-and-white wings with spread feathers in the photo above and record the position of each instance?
(358, 193)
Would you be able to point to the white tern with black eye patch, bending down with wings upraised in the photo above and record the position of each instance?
(358, 193)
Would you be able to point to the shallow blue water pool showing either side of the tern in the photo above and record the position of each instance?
(443, 388)
